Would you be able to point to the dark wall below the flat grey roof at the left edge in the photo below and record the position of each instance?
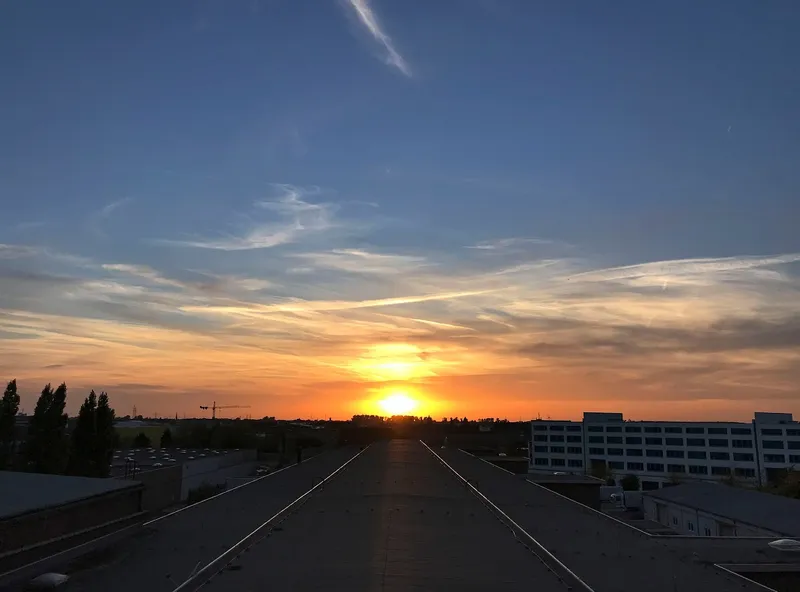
(38, 527)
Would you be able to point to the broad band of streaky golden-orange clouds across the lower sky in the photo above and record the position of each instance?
(502, 318)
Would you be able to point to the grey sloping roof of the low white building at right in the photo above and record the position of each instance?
(772, 512)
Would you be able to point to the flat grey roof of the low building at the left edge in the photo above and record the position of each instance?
(21, 493)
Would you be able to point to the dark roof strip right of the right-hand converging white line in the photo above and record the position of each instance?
(608, 556)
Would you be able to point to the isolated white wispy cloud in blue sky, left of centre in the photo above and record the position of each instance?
(298, 217)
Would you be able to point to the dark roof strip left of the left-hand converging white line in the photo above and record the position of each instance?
(161, 556)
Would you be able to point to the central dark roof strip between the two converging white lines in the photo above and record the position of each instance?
(394, 519)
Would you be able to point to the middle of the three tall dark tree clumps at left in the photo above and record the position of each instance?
(45, 450)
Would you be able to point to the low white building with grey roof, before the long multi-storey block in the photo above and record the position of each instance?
(711, 509)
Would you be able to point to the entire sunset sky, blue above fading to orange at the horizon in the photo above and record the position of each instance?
(505, 208)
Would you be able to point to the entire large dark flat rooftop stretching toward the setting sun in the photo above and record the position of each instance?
(395, 518)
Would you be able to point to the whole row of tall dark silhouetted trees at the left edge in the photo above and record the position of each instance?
(46, 446)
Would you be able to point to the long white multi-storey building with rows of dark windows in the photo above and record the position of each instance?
(659, 452)
